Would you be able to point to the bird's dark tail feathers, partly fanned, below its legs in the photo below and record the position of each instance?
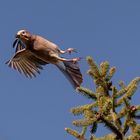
(72, 72)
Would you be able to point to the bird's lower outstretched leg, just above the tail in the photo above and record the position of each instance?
(74, 60)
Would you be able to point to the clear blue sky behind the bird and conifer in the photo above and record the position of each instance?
(38, 109)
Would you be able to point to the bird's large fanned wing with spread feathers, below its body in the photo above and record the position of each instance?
(26, 63)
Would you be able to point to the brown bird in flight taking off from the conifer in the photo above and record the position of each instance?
(34, 51)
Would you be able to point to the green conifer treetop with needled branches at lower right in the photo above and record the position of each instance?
(104, 108)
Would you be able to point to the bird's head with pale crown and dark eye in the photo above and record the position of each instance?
(24, 35)
